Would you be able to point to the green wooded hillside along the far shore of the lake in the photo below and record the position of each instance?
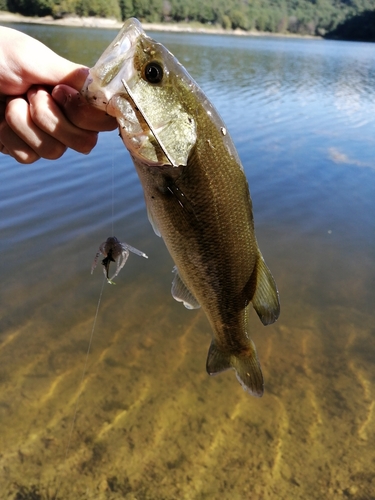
(307, 17)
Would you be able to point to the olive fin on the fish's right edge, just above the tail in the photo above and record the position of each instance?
(266, 297)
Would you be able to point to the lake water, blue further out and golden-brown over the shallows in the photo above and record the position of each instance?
(150, 423)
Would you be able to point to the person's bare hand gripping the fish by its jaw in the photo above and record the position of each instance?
(41, 111)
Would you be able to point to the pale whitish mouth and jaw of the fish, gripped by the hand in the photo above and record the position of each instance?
(115, 65)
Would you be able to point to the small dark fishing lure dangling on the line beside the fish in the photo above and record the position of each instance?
(114, 251)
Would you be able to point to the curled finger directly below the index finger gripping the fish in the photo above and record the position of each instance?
(47, 115)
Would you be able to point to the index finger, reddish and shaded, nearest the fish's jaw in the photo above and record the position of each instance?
(79, 112)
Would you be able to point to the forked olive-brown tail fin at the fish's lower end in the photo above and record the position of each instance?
(246, 366)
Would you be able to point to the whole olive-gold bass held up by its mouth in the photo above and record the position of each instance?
(196, 193)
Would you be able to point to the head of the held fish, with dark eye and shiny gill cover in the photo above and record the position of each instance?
(138, 81)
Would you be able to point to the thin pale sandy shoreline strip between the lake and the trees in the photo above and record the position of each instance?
(111, 23)
